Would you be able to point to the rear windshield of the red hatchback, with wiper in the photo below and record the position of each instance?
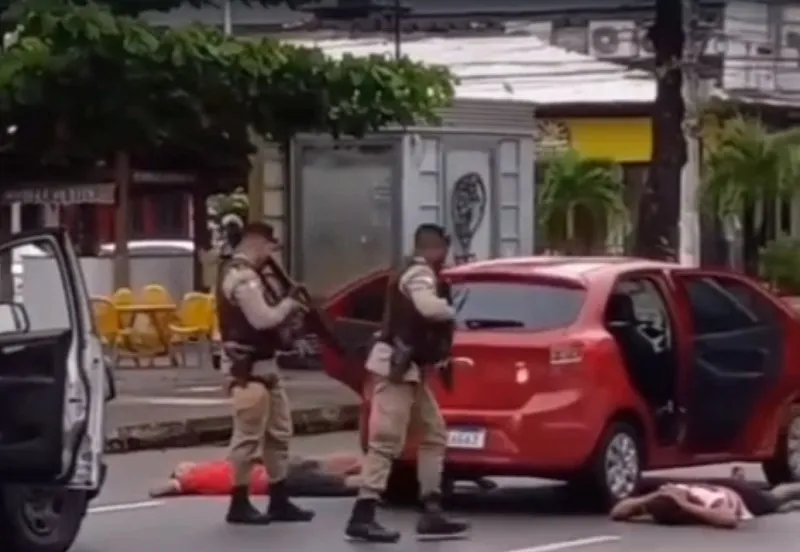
(512, 305)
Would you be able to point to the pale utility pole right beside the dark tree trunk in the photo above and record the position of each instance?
(693, 99)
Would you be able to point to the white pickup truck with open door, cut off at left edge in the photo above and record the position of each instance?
(54, 385)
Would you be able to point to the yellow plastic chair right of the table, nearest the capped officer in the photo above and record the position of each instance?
(193, 324)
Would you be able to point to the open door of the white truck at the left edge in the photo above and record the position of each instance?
(53, 378)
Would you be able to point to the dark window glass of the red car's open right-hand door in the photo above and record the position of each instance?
(717, 306)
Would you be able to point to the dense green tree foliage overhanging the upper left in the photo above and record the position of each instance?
(81, 82)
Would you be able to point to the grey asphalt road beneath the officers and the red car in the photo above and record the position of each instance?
(525, 517)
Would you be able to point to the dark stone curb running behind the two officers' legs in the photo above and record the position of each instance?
(216, 429)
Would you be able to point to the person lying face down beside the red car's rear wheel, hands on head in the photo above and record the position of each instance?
(724, 505)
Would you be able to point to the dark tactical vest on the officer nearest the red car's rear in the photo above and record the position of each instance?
(429, 340)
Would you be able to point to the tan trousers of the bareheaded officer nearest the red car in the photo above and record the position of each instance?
(397, 409)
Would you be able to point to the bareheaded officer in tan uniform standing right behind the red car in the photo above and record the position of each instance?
(400, 361)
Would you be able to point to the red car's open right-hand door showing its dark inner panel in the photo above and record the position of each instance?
(736, 347)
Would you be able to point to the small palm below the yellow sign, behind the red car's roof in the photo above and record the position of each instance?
(580, 201)
